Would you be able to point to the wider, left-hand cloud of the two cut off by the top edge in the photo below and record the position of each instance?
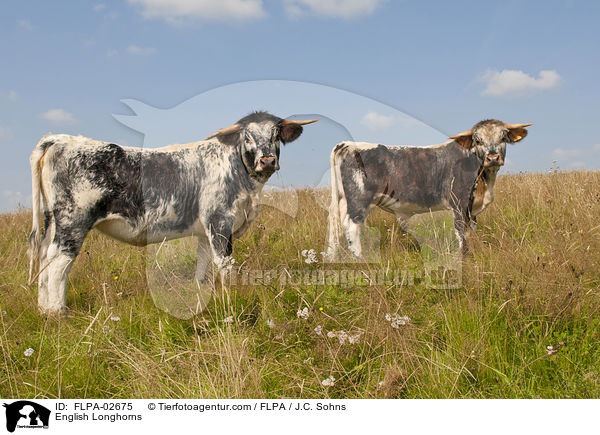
(174, 11)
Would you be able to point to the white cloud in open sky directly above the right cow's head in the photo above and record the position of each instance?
(517, 83)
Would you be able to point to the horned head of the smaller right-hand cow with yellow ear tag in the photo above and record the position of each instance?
(488, 139)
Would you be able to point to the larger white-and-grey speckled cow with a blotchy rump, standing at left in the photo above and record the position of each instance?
(208, 189)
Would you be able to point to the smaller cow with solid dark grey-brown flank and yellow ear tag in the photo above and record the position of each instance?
(405, 180)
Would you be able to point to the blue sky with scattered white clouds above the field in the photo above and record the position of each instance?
(68, 65)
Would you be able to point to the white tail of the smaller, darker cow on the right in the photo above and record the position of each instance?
(337, 195)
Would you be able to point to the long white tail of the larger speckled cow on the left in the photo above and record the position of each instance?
(37, 228)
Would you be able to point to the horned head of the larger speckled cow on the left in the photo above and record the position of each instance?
(258, 137)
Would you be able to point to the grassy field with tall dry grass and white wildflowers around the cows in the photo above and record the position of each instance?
(525, 322)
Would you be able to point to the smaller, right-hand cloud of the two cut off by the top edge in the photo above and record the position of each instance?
(333, 8)
